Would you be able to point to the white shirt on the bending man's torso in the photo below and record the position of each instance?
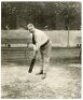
(40, 37)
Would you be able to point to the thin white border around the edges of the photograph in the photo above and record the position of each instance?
(40, 1)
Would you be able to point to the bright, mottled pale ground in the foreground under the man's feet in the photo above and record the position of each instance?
(63, 81)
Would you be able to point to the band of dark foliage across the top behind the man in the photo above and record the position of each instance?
(42, 14)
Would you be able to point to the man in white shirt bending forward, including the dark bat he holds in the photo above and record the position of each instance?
(41, 43)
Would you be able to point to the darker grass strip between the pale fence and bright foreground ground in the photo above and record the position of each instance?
(23, 54)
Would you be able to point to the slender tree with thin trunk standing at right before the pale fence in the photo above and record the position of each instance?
(69, 14)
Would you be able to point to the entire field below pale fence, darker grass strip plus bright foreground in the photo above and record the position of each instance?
(63, 79)
